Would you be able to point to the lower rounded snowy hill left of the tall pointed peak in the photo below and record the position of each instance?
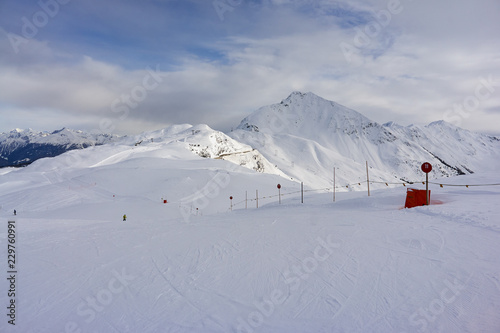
(181, 163)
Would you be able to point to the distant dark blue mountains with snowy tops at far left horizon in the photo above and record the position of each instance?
(22, 147)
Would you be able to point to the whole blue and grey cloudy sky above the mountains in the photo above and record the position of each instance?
(130, 66)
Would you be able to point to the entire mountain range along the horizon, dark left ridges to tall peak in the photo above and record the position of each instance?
(301, 138)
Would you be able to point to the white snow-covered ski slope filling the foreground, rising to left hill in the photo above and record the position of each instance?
(361, 264)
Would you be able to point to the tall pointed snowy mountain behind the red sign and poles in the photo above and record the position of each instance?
(306, 136)
